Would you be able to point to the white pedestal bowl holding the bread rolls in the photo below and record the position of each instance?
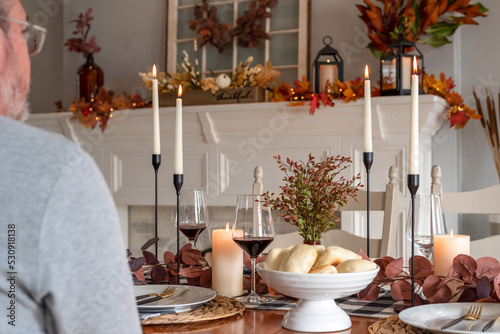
(316, 310)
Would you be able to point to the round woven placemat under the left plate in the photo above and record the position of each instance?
(220, 307)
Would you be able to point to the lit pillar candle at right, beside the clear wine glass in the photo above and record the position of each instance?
(446, 248)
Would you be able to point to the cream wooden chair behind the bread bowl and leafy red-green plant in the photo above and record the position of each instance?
(386, 201)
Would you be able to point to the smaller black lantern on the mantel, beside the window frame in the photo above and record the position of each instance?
(328, 66)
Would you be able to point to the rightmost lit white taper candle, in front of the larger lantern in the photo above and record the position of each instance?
(414, 154)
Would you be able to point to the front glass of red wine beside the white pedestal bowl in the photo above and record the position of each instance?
(253, 231)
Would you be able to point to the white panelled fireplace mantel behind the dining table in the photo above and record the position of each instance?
(223, 144)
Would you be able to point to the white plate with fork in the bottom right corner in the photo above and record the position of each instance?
(433, 316)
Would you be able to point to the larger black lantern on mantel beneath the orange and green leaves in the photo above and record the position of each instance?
(396, 68)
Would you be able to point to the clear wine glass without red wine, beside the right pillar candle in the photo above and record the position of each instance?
(429, 221)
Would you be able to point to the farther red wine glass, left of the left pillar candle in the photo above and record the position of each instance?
(193, 214)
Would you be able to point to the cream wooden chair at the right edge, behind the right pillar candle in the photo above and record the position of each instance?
(482, 201)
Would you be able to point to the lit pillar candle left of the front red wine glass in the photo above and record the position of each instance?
(227, 263)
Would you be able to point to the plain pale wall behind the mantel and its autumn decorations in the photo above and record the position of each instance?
(132, 36)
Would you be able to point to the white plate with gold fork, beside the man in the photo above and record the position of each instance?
(178, 303)
